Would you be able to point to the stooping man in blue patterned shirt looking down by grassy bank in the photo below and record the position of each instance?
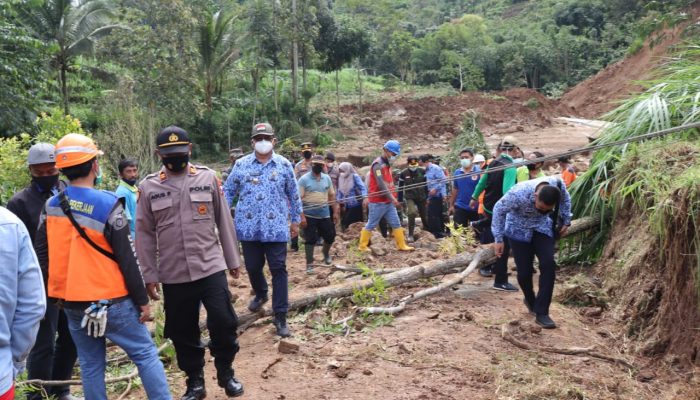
(522, 217)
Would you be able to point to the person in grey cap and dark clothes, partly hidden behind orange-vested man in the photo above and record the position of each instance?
(53, 356)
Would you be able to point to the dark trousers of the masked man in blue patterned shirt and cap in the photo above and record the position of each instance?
(255, 254)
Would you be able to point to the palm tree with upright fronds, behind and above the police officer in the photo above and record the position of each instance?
(217, 49)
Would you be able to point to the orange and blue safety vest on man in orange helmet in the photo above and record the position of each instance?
(78, 272)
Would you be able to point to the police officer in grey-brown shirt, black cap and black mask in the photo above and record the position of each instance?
(180, 208)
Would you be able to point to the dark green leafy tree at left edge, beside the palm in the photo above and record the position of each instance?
(21, 62)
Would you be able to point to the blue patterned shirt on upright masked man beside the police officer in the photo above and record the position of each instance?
(268, 198)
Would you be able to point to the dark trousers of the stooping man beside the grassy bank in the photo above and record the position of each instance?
(524, 254)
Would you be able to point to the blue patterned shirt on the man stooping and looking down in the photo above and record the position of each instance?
(516, 217)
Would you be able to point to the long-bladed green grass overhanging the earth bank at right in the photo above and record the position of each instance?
(651, 176)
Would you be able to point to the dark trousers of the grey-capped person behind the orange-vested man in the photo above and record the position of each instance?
(52, 357)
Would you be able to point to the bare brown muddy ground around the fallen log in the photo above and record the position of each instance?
(448, 346)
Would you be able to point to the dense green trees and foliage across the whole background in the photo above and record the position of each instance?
(126, 68)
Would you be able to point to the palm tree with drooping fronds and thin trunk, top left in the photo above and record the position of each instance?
(71, 26)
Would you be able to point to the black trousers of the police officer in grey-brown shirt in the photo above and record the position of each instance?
(182, 302)
